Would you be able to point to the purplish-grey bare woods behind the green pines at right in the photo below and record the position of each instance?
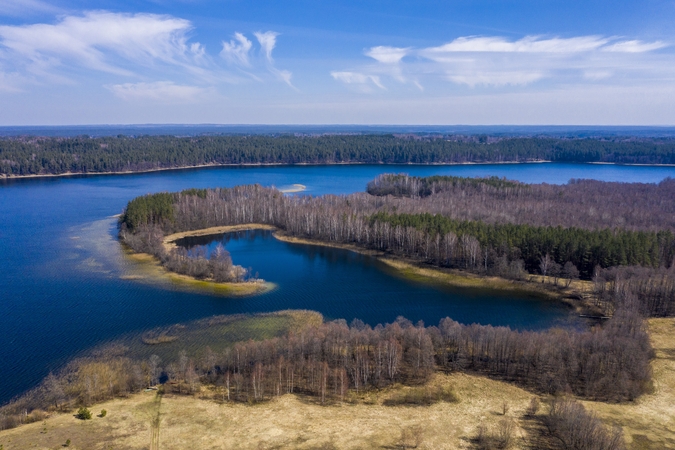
(585, 204)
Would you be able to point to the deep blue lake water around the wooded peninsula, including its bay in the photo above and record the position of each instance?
(60, 266)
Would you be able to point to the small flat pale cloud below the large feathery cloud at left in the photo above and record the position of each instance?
(159, 91)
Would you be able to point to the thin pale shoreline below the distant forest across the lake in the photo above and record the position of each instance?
(346, 163)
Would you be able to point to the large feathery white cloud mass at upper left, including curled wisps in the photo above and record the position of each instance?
(130, 47)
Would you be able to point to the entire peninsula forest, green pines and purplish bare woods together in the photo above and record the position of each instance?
(436, 231)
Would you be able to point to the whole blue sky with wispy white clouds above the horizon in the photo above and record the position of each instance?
(422, 62)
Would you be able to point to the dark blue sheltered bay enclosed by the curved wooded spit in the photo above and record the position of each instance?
(344, 284)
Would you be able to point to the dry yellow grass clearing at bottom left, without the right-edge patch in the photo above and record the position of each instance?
(286, 422)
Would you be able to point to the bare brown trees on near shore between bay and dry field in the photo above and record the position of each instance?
(331, 360)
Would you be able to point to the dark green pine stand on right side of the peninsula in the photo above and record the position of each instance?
(471, 244)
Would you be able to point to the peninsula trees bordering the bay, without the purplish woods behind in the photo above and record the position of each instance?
(493, 249)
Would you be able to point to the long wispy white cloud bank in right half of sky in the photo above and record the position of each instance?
(497, 61)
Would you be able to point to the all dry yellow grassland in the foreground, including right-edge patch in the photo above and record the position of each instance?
(291, 421)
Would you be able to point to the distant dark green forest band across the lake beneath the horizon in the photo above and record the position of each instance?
(38, 155)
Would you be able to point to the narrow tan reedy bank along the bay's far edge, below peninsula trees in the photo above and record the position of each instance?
(574, 295)
